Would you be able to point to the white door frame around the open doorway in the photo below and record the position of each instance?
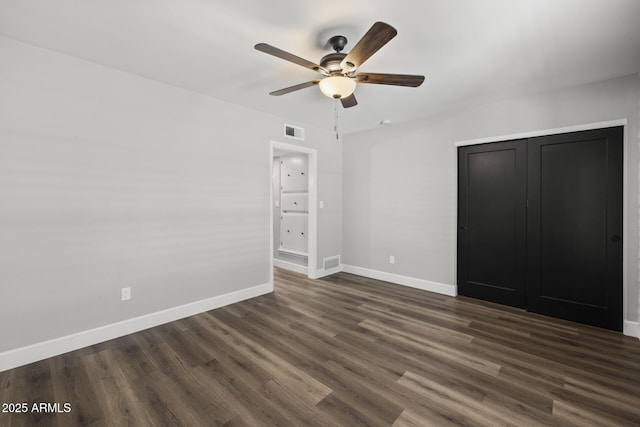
(312, 231)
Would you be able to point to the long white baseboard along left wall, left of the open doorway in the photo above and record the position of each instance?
(22, 356)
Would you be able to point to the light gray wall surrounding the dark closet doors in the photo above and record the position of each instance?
(399, 181)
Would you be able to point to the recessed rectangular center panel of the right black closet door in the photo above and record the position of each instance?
(572, 256)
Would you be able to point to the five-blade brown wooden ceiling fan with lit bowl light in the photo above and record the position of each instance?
(339, 69)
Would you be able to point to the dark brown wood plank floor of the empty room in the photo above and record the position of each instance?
(344, 350)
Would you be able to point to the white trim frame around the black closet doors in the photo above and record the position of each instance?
(627, 329)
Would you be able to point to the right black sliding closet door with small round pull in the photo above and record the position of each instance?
(575, 226)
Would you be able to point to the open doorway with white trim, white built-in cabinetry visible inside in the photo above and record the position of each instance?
(293, 225)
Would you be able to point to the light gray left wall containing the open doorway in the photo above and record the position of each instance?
(110, 180)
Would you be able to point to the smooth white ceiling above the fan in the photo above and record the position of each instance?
(471, 51)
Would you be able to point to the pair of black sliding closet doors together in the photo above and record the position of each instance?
(540, 225)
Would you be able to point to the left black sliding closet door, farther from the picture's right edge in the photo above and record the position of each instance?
(492, 222)
